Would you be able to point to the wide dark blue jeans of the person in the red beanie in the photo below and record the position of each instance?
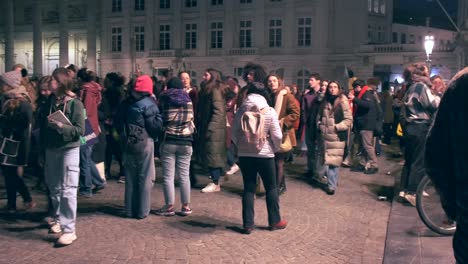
(139, 175)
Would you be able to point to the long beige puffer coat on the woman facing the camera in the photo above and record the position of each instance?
(334, 122)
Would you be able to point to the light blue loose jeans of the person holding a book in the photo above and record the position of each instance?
(62, 172)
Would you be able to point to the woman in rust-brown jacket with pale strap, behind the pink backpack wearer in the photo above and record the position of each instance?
(288, 112)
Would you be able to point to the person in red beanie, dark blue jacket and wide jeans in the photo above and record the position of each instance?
(138, 123)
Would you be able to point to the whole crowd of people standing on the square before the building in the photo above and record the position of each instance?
(75, 122)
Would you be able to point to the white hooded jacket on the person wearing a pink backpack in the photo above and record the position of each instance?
(272, 127)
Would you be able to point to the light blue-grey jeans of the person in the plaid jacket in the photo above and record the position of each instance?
(175, 159)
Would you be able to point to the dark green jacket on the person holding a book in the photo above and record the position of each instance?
(69, 135)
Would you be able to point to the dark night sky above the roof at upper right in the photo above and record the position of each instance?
(414, 12)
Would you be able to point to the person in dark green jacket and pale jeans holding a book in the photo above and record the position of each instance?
(61, 141)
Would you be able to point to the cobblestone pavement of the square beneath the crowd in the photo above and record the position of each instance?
(349, 227)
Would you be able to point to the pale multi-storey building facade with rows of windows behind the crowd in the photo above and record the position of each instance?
(291, 37)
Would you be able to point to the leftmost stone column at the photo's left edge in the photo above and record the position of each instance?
(9, 36)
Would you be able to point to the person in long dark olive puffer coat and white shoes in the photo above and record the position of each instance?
(211, 128)
